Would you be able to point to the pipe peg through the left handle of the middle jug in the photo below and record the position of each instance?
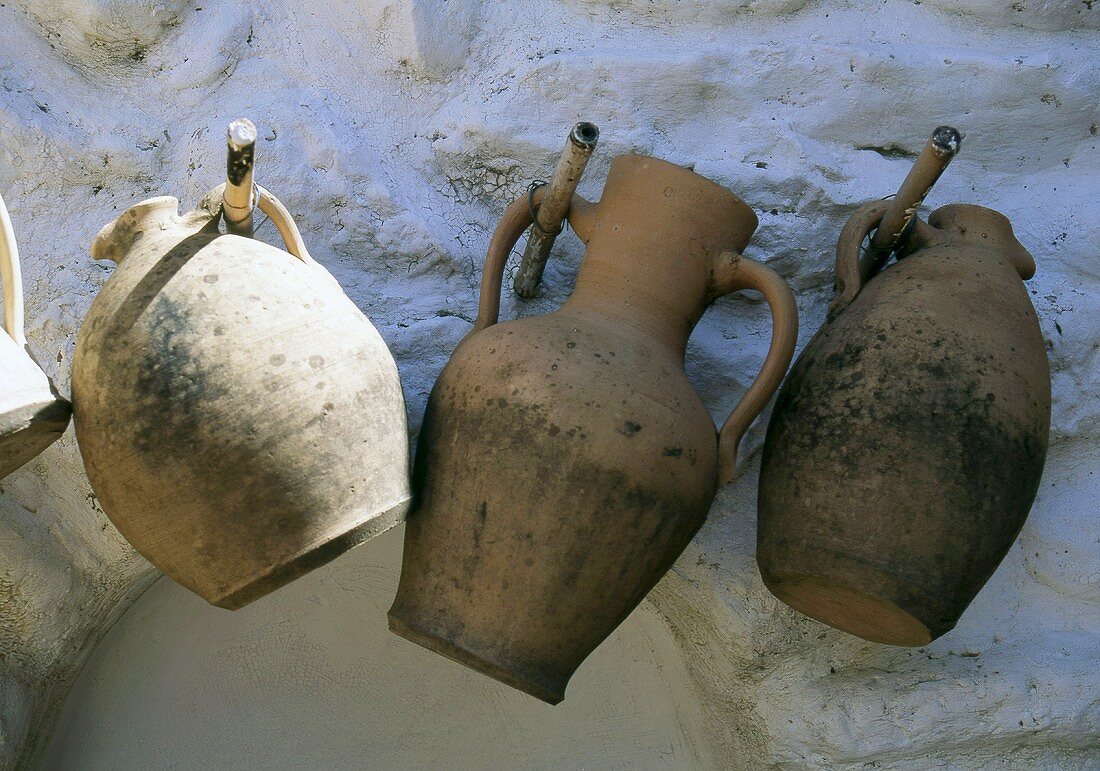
(552, 212)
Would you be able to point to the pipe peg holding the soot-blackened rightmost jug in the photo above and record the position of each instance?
(942, 148)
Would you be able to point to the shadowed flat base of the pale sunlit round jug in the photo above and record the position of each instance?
(312, 558)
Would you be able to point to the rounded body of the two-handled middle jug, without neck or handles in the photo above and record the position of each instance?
(563, 467)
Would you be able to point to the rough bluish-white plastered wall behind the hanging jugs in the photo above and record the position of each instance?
(398, 133)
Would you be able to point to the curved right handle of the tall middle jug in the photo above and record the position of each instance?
(738, 273)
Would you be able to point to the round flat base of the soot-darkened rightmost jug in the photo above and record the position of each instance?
(851, 596)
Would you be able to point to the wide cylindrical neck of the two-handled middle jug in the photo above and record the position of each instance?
(653, 246)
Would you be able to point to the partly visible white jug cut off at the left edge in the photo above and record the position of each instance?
(32, 415)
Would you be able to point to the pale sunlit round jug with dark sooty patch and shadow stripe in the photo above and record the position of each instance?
(241, 422)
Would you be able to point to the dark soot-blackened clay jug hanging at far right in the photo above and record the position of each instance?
(907, 446)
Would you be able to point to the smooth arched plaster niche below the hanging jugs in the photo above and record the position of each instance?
(312, 678)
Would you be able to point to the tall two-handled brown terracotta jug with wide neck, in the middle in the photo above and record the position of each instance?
(565, 461)
